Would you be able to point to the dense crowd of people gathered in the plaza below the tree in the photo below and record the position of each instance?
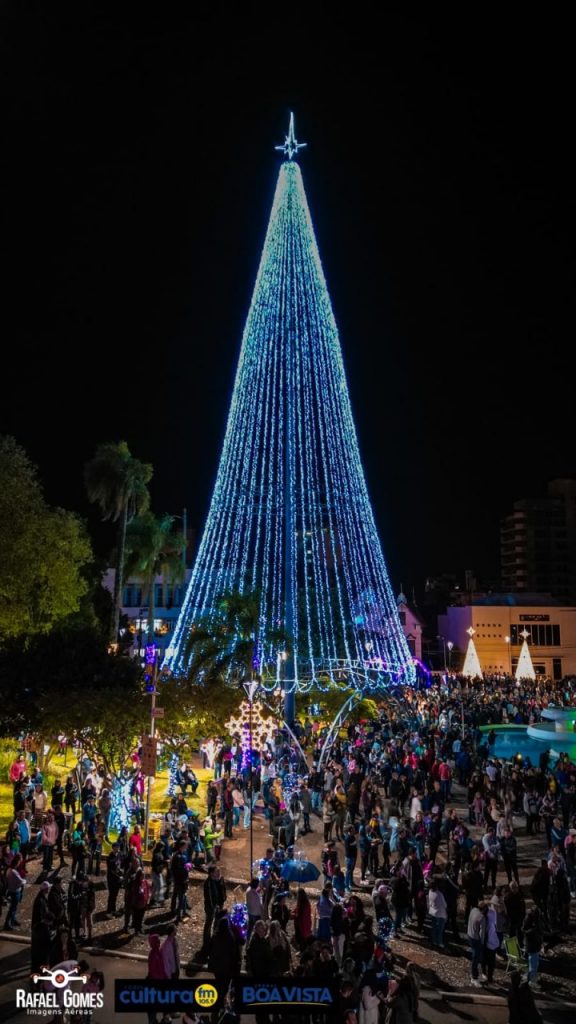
(428, 838)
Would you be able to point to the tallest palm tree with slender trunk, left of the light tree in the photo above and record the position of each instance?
(117, 483)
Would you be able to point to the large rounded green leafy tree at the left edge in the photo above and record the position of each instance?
(44, 551)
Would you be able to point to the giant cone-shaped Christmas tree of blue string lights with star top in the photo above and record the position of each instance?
(291, 516)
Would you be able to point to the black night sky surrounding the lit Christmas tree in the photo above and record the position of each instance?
(137, 180)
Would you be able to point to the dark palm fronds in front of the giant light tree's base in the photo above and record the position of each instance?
(229, 644)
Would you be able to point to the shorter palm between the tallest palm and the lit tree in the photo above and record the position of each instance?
(154, 549)
